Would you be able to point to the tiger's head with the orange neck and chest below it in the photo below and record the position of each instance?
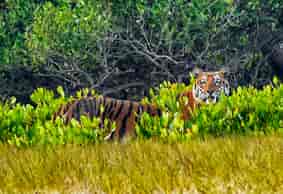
(207, 88)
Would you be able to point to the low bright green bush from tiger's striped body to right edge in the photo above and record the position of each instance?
(246, 111)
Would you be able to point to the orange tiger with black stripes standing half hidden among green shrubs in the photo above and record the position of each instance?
(206, 89)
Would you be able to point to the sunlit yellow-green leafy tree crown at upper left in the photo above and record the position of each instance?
(71, 31)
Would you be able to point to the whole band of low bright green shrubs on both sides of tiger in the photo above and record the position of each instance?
(247, 112)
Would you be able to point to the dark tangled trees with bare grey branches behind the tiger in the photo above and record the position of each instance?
(122, 48)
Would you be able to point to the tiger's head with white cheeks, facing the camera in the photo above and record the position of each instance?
(208, 86)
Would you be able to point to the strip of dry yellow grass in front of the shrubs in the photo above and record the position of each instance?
(222, 165)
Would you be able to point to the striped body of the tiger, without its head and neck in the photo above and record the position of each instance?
(123, 112)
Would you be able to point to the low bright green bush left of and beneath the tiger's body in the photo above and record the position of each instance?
(25, 125)
